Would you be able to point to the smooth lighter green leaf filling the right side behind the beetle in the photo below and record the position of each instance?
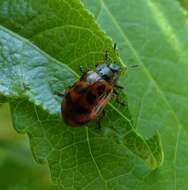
(153, 34)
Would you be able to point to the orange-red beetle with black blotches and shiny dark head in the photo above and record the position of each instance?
(86, 98)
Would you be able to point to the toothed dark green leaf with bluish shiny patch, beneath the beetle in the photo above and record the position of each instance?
(78, 158)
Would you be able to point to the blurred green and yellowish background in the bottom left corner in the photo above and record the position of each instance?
(18, 170)
